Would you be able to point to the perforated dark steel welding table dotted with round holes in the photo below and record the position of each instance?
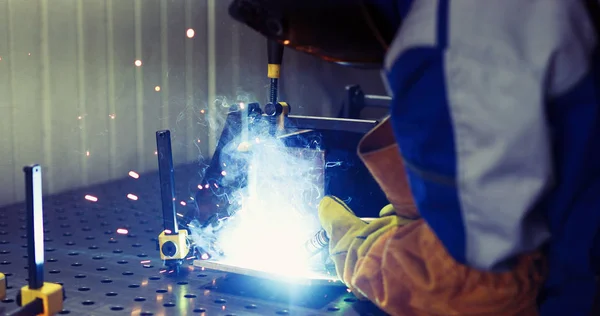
(107, 273)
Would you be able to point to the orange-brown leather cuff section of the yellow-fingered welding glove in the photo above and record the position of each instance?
(408, 272)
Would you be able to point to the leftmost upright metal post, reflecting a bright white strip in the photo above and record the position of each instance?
(35, 225)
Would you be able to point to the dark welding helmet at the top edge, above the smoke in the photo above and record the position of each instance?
(351, 32)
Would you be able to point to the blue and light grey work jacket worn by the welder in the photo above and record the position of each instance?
(496, 110)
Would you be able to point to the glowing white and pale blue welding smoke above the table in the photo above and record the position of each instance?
(275, 213)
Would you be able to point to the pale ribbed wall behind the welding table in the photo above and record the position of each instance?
(73, 99)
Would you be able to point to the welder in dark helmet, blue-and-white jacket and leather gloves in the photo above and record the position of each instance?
(490, 157)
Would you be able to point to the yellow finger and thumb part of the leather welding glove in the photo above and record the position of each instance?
(350, 237)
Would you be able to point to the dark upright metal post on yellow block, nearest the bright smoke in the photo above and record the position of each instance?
(167, 181)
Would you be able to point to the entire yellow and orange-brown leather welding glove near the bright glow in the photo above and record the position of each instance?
(401, 266)
